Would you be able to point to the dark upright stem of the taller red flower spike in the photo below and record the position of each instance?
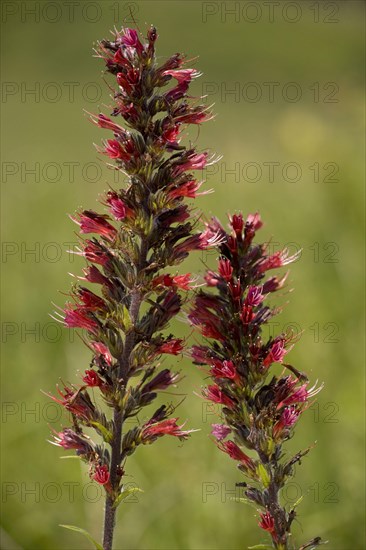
(110, 510)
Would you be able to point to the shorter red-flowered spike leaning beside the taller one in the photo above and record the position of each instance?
(259, 409)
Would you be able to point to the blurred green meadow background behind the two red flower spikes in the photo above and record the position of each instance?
(311, 116)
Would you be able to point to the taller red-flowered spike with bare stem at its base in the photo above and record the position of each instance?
(148, 227)
